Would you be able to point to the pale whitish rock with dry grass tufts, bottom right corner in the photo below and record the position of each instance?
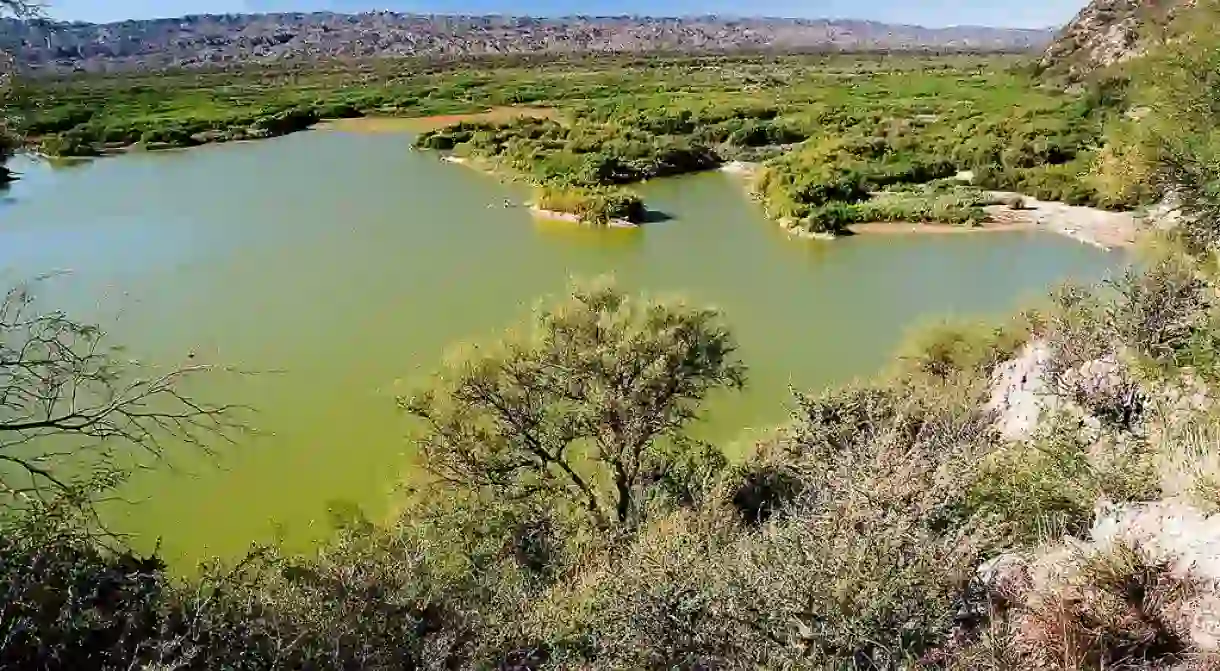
(1147, 573)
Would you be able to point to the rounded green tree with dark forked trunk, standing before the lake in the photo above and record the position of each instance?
(590, 403)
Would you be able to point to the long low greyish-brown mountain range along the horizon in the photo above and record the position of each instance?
(203, 41)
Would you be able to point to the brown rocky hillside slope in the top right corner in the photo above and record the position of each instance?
(1106, 34)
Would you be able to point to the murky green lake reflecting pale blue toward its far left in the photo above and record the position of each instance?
(332, 269)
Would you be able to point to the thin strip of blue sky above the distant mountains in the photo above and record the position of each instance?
(1024, 14)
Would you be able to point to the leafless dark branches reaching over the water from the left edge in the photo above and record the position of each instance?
(71, 408)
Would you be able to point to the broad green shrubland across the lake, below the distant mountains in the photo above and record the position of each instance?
(830, 132)
